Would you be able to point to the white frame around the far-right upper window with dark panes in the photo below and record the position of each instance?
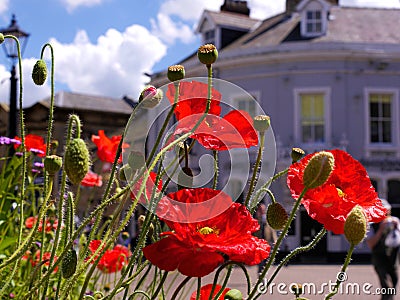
(395, 143)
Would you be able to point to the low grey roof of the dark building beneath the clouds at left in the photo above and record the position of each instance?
(89, 103)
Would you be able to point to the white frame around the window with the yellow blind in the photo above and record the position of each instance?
(326, 91)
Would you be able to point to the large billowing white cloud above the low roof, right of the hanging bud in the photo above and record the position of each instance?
(114, 66)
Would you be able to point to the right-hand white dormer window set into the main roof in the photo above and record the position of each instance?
(313, 17)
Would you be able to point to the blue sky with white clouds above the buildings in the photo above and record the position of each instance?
(105, 47)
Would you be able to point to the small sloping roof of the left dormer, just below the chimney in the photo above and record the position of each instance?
(229, 19)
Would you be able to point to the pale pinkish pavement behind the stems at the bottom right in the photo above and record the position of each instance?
(359, 282)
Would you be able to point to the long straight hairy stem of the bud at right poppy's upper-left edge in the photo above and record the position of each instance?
(277, 244)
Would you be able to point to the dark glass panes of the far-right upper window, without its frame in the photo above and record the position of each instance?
(380, 117)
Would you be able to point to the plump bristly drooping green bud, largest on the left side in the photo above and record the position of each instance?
(76, 160)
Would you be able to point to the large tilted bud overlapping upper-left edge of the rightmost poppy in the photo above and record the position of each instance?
(318, 169)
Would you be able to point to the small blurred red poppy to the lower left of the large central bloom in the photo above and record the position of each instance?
(112, 260)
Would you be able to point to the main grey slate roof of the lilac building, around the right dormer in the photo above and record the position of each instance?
(345, 25)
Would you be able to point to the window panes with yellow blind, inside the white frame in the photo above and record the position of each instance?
(312, 118)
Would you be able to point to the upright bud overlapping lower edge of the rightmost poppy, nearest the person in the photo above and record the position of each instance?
(355, 227)
